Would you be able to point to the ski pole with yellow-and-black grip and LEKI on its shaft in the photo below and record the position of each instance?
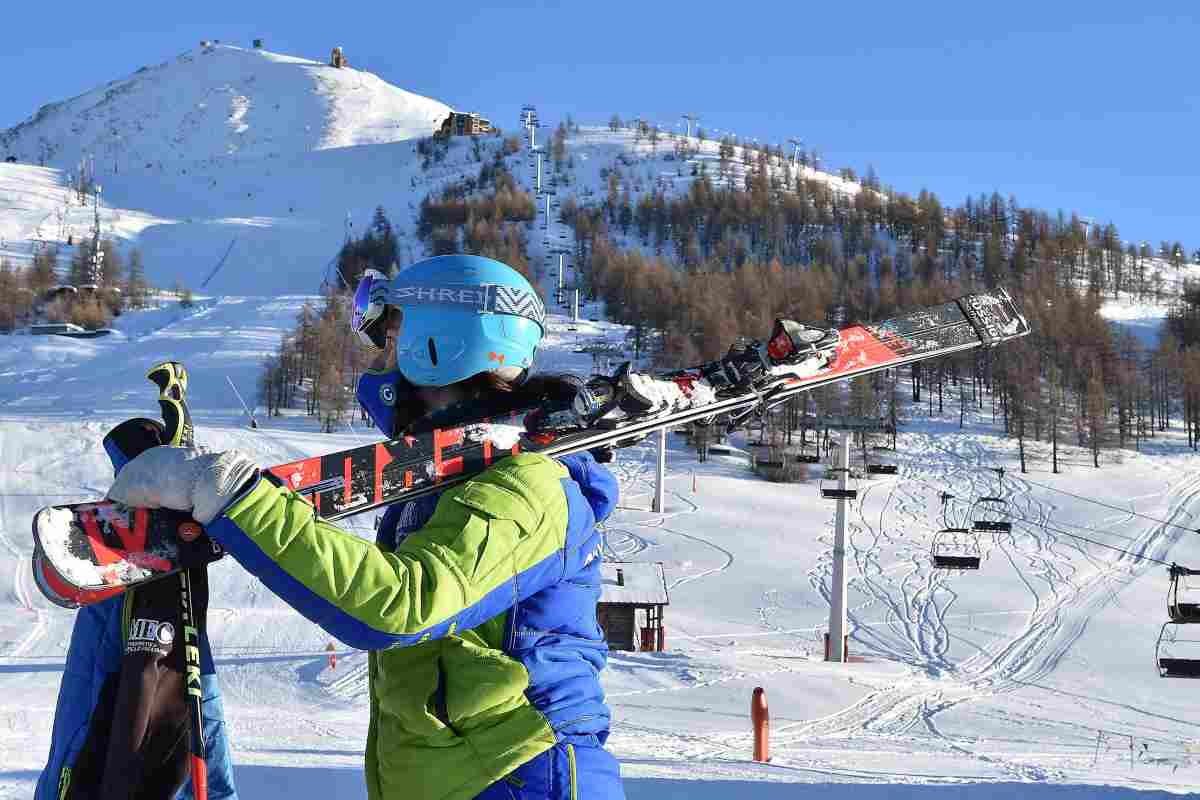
(171, 378)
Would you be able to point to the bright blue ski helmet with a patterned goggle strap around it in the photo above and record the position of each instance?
(463, 316)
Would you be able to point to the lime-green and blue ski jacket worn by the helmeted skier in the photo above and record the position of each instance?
(485, 651)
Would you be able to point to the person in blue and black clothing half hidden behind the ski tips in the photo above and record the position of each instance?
(89, 729)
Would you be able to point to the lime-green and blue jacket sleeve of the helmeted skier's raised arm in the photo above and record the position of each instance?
(493, 542)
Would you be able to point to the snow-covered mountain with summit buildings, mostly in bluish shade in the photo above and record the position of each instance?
(229, 157)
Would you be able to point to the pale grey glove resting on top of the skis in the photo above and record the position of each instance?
(184, 480)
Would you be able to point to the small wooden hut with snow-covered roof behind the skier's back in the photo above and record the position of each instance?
(631, 609)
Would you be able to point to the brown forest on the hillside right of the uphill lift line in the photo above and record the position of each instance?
(718, 263)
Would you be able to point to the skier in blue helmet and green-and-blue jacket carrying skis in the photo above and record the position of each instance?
(478, 605)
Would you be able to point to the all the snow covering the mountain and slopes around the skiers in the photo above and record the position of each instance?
(1028, 679)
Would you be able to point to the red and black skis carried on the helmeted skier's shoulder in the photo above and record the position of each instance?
(133, 546)
